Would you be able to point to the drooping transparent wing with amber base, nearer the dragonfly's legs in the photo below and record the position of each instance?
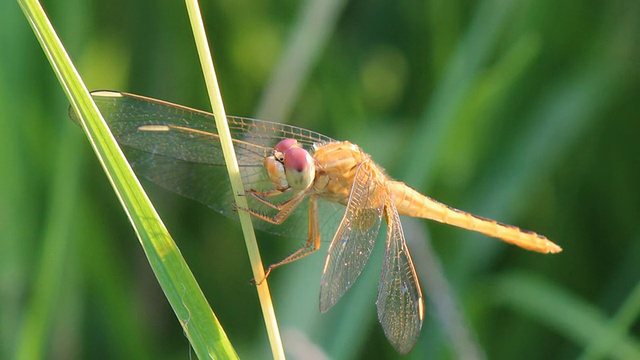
(354, 240)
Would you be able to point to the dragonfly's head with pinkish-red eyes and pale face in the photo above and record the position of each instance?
(290, 166)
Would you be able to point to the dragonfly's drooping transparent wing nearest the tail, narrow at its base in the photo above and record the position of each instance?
(400, 305)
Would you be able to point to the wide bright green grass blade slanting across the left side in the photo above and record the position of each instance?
(196, 317)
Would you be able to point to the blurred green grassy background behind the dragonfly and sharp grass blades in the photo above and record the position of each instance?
(527, 112)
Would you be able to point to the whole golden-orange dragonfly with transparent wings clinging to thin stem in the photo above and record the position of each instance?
(300, 183)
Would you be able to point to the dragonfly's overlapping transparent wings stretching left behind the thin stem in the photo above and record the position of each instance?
(178, 148)
